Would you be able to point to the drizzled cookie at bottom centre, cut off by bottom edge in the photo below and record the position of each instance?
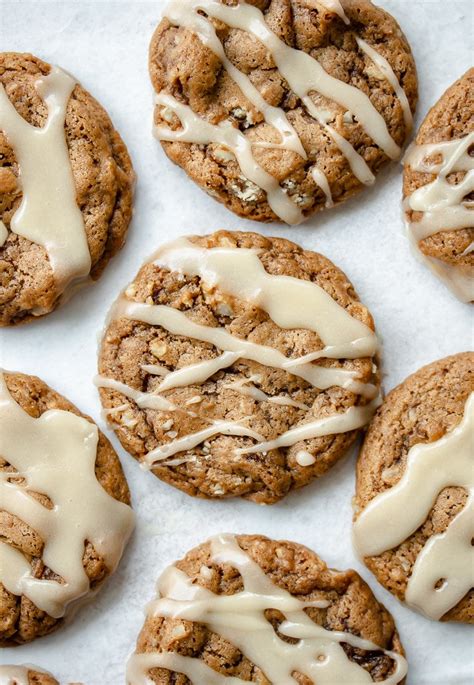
(249, 609)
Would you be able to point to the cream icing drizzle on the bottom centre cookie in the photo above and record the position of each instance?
(239, 619)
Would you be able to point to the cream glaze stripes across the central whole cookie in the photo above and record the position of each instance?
(291, 303)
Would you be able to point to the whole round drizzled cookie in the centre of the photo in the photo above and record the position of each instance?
(238, 365)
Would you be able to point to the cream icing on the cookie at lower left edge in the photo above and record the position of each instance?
(56, 454)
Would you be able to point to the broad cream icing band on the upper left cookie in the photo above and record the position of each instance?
(48, 214)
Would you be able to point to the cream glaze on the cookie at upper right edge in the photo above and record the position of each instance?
(444, 206)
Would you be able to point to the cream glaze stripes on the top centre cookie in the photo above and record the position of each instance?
(304, 75)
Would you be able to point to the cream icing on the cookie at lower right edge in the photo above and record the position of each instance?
(392, 516)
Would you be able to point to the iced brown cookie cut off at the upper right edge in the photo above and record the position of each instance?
(438, 188)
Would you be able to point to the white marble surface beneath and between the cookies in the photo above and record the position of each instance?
(104, 44)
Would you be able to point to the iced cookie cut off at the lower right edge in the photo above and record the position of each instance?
(415, 491)
